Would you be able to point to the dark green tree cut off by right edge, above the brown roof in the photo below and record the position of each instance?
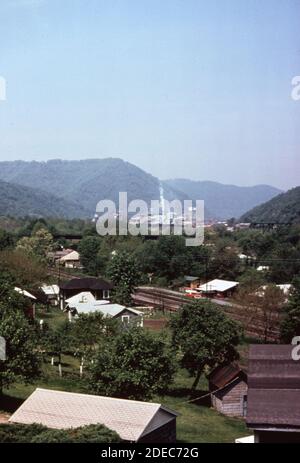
(290, 325)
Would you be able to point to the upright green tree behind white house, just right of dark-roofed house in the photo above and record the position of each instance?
(124, 273)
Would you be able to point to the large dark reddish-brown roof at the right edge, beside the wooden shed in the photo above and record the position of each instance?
(273, 387)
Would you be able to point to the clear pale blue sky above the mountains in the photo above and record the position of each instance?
(181, 88)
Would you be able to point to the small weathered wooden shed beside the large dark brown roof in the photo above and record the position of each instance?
(228, 385)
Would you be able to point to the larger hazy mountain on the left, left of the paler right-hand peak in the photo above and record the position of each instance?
(87, 181)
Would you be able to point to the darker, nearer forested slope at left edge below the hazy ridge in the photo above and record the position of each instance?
(21, 201)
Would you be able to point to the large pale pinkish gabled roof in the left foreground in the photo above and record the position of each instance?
(62, 410)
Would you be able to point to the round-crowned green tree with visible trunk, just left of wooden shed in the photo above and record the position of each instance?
(206, 337)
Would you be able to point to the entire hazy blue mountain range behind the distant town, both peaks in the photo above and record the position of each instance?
(87, 181)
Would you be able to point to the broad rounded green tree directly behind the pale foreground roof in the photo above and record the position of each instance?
(133, 364)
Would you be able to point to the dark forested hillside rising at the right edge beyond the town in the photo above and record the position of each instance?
(283, 208)
